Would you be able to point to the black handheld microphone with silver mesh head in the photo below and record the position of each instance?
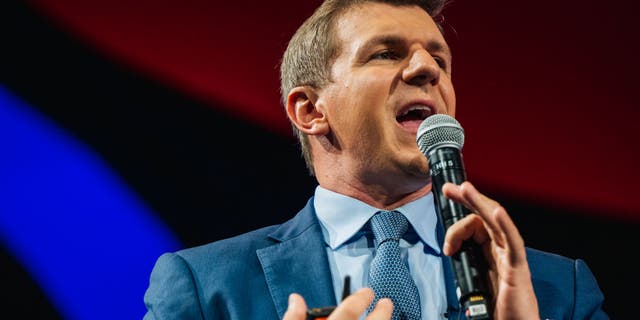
(440, 138)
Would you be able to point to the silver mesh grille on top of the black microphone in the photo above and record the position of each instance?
(439, 130)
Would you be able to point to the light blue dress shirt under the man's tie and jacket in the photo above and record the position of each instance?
(350, 246)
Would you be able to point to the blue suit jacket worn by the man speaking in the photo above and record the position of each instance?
(251, 276)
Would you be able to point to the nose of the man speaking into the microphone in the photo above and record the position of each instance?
(422, 69)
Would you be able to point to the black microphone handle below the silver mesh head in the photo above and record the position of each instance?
(469, 265)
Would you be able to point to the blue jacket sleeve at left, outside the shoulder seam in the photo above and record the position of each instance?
(172, 293)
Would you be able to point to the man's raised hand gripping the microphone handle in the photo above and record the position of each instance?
(493, 229)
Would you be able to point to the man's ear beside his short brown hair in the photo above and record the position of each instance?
(303, 112)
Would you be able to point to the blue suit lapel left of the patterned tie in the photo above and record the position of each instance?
(298, 263)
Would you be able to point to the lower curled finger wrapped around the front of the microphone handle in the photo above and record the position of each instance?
(469, 227)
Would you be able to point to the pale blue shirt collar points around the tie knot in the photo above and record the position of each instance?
(342, 217)
